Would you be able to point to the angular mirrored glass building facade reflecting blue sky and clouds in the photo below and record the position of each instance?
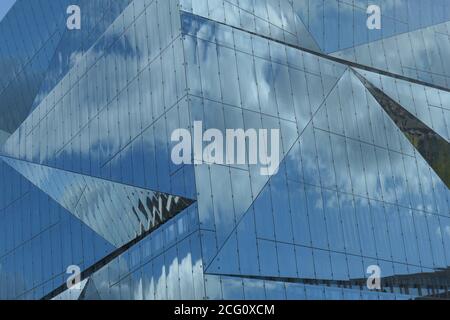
(87, 179)
